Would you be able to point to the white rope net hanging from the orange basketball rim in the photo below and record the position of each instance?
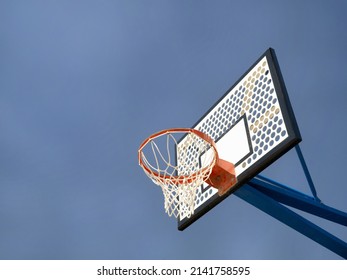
(178, 169)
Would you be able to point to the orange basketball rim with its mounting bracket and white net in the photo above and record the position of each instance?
(180, 160)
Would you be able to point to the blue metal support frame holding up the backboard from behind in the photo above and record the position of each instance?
(269, 196)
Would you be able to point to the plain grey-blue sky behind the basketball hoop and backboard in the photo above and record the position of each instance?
(82, 83)
